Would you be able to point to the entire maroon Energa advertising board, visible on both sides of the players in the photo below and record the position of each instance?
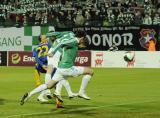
(26, 59)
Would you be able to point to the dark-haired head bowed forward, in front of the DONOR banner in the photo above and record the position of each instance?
(83, 41)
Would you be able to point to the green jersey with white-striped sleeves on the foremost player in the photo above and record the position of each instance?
(69, 44)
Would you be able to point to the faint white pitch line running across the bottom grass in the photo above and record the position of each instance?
(70, 110)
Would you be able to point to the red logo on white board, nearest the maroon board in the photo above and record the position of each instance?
(99, 59)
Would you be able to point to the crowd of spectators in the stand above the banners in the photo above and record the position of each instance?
(69, 13)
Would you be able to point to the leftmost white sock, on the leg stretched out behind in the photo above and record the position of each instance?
(38, 89)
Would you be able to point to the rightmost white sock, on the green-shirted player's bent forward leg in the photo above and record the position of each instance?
(85, 80)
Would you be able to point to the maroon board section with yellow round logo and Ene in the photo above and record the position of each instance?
(21, 59)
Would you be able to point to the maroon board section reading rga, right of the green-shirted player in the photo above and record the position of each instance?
(83, 58)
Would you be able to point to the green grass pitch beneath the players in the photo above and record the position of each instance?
(115, 93)
